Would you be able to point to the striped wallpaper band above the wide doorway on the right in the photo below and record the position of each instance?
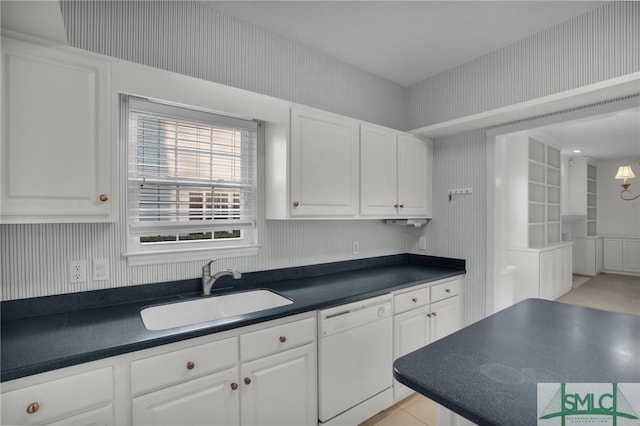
(596, 46)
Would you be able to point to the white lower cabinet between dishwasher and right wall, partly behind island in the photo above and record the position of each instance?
(435, 314)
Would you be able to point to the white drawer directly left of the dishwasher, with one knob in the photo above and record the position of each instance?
(277, 339)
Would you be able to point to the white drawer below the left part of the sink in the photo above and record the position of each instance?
(181, 365)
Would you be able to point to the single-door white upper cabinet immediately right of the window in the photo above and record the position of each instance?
(312, 166)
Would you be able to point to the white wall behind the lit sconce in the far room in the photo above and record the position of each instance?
(614, 215)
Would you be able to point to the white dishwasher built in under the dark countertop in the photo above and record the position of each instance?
(355, 361)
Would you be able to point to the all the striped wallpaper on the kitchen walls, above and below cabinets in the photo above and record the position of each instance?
(189, 38)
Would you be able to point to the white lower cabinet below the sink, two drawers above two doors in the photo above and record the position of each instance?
(262, 375)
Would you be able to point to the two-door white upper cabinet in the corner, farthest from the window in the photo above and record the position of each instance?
(395, 174)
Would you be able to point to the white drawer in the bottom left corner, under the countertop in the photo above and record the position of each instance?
(59, 398)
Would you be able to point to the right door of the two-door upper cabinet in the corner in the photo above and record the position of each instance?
(414, 177)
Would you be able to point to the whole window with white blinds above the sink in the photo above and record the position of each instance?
(191, 183)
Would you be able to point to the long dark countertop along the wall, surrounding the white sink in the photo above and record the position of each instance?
(47, 333)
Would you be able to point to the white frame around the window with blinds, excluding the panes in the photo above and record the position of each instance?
(138, 253)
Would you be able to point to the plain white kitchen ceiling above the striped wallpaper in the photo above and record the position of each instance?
(405, 41)
